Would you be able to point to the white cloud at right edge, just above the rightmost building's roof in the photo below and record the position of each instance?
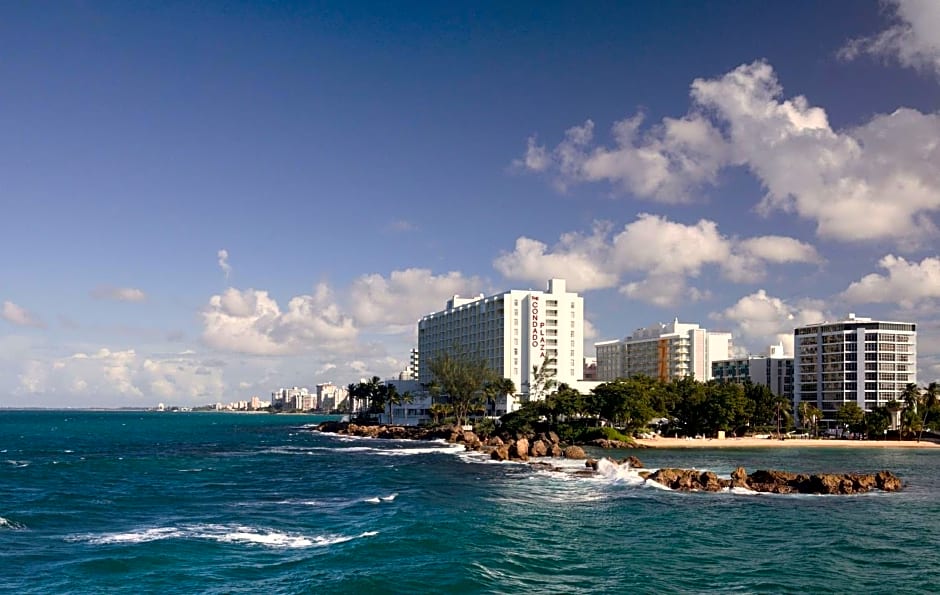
(906, 283)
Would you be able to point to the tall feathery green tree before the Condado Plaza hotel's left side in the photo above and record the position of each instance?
(463, 379)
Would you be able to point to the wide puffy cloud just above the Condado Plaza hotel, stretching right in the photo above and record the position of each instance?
(666, 254)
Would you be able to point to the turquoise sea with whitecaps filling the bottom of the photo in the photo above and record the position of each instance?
(115, 502)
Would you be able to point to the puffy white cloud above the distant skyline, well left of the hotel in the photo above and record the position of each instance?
(250, 321)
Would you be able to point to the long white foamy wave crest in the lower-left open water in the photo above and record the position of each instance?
(221, 534)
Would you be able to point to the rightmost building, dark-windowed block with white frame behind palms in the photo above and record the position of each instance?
(856, 360)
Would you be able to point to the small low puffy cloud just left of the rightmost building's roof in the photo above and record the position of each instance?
(762, 320)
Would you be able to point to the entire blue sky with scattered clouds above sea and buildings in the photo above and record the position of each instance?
(206, 201)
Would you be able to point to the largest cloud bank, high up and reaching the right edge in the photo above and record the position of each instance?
(873, 182)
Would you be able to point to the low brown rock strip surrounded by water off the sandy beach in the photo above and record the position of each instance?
(776, 482)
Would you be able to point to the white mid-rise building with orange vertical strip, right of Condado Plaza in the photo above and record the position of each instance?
(664, 351)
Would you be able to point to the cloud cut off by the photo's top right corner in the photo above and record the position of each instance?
(914, 40)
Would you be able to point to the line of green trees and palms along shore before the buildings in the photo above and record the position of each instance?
(463, 387)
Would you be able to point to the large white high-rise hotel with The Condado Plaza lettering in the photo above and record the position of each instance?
(512, 331)
